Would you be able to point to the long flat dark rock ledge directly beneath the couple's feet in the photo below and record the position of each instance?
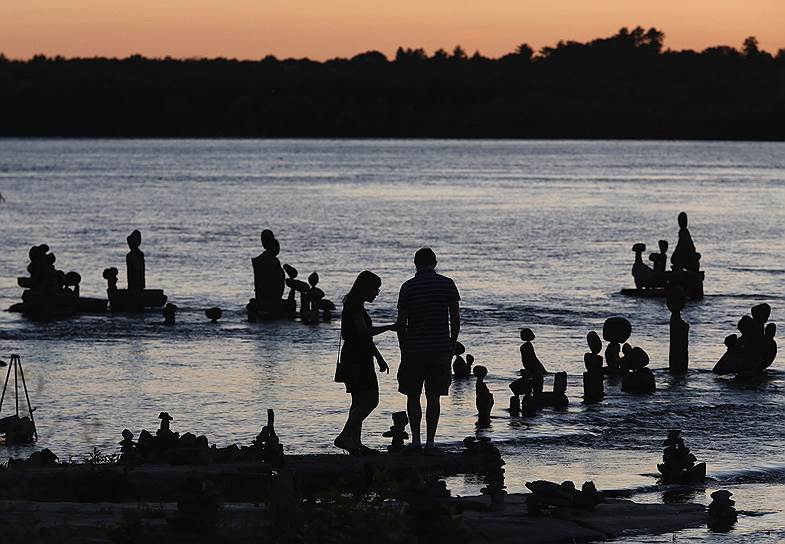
(238, 481)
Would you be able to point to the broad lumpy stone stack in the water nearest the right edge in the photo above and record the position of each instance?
(754, 351)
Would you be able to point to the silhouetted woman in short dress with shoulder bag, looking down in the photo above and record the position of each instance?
(355, 368)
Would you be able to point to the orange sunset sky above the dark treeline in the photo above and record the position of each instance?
(321, 29)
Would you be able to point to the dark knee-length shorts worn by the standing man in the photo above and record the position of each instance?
(431, 368)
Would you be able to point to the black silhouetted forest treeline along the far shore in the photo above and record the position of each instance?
(624, 86)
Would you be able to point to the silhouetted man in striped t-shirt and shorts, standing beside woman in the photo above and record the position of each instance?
(428, 327)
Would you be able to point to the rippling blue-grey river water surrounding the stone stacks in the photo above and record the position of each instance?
(535, 234)
